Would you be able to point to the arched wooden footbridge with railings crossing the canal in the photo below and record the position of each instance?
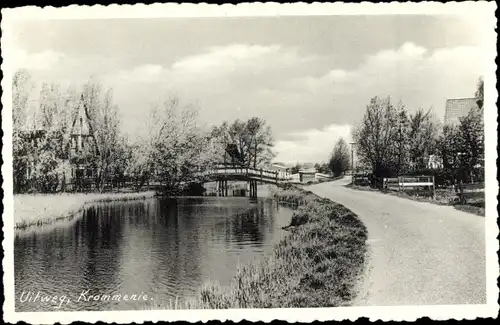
(224, 173)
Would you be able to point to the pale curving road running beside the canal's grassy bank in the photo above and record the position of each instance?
(420, 253)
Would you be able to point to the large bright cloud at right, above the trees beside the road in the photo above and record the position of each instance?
(411, 73)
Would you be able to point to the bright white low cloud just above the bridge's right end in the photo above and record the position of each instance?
(313, 145)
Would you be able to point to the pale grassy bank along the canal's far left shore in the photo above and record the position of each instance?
(43, 209)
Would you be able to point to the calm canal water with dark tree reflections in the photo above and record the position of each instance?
(159, 250)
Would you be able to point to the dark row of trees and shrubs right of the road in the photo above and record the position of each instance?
(390, 141)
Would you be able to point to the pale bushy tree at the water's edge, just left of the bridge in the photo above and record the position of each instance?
(177, 151)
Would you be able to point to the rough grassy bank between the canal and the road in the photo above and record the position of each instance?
(316, 265)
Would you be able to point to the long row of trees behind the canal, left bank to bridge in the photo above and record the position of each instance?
(175, 150)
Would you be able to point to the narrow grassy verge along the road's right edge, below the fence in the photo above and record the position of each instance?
(443, 197)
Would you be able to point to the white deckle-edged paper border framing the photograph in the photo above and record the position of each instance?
(398, 313)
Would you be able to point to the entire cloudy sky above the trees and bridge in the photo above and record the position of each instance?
(309, 77)
